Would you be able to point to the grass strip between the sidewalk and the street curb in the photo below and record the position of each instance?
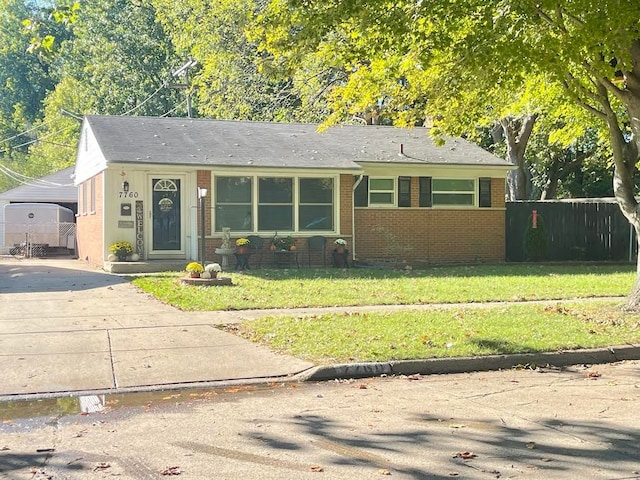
(446, 332)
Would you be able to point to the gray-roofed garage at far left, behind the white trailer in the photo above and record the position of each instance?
(56, 188)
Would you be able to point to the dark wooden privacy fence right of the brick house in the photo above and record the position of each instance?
(589, 229)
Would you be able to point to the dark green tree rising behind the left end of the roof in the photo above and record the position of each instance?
(120, 55)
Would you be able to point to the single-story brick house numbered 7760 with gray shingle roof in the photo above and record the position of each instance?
(390, 192)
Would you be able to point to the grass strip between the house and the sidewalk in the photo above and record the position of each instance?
(333, 287)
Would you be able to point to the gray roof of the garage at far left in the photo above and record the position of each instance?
(55, 188)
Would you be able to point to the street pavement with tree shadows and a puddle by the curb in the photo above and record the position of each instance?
(575, 423)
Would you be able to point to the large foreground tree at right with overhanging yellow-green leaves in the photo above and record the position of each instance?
(591, 51)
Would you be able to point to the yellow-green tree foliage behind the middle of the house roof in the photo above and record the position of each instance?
(235, 80)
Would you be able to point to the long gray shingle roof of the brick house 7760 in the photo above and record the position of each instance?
(237, 143)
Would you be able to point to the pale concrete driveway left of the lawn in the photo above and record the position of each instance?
(68, 327)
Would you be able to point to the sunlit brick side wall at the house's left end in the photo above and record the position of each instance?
(89, 226)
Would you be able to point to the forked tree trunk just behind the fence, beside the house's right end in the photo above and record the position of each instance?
(517, 132)
